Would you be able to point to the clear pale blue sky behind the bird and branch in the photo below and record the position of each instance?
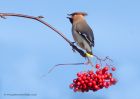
(28, 49)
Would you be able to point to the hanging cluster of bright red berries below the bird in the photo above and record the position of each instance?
(89, 80)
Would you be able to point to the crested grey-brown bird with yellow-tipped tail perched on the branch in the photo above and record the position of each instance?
(82, 33)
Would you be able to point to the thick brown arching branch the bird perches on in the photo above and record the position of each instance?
(39, 19)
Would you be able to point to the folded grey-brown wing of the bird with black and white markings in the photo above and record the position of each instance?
(86, 32)
